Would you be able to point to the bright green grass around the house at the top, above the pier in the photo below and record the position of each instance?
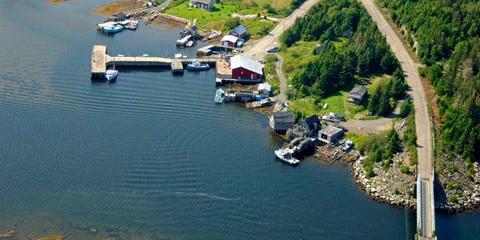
(207, 20)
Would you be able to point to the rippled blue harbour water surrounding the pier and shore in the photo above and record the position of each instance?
(151, 156)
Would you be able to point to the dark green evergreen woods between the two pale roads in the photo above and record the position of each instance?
(364, 51)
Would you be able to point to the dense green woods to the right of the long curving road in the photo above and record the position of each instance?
(448, 34)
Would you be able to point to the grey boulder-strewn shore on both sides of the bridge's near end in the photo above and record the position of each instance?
(455, 190)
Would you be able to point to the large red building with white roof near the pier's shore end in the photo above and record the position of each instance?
(245, 68)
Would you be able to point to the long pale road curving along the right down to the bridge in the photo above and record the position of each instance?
(422, 120)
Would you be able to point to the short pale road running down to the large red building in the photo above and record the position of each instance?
(257, 49)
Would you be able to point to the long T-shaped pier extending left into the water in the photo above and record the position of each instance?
(101, 60)
